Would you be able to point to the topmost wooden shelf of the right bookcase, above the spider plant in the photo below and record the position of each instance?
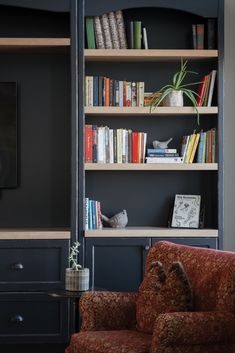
(147, 55)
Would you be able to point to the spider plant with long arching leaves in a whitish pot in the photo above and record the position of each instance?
(172, 95)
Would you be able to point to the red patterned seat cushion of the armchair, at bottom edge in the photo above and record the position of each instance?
(120, 341)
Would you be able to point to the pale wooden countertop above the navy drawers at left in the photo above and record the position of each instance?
(33, 233)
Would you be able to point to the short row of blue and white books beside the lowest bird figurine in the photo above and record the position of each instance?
(92, 214)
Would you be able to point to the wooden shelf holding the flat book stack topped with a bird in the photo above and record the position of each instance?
(151, 166)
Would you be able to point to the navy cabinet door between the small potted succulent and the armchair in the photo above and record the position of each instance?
(116, 264)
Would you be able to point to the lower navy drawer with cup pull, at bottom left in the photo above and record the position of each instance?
(33, 317)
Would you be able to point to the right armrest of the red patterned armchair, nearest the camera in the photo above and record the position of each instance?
(190, 328)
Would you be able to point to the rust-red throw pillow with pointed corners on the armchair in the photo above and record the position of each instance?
(162, 293)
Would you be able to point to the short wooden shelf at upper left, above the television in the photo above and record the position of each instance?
(24, 43)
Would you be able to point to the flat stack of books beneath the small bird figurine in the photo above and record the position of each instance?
(163, 155)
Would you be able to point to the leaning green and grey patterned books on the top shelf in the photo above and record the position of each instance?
(106, 31)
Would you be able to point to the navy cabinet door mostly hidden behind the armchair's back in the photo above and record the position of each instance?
(202, 242)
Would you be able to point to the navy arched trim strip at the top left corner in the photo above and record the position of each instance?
(52, 5)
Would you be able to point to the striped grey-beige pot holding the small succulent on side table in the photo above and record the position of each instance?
(77, 280)
